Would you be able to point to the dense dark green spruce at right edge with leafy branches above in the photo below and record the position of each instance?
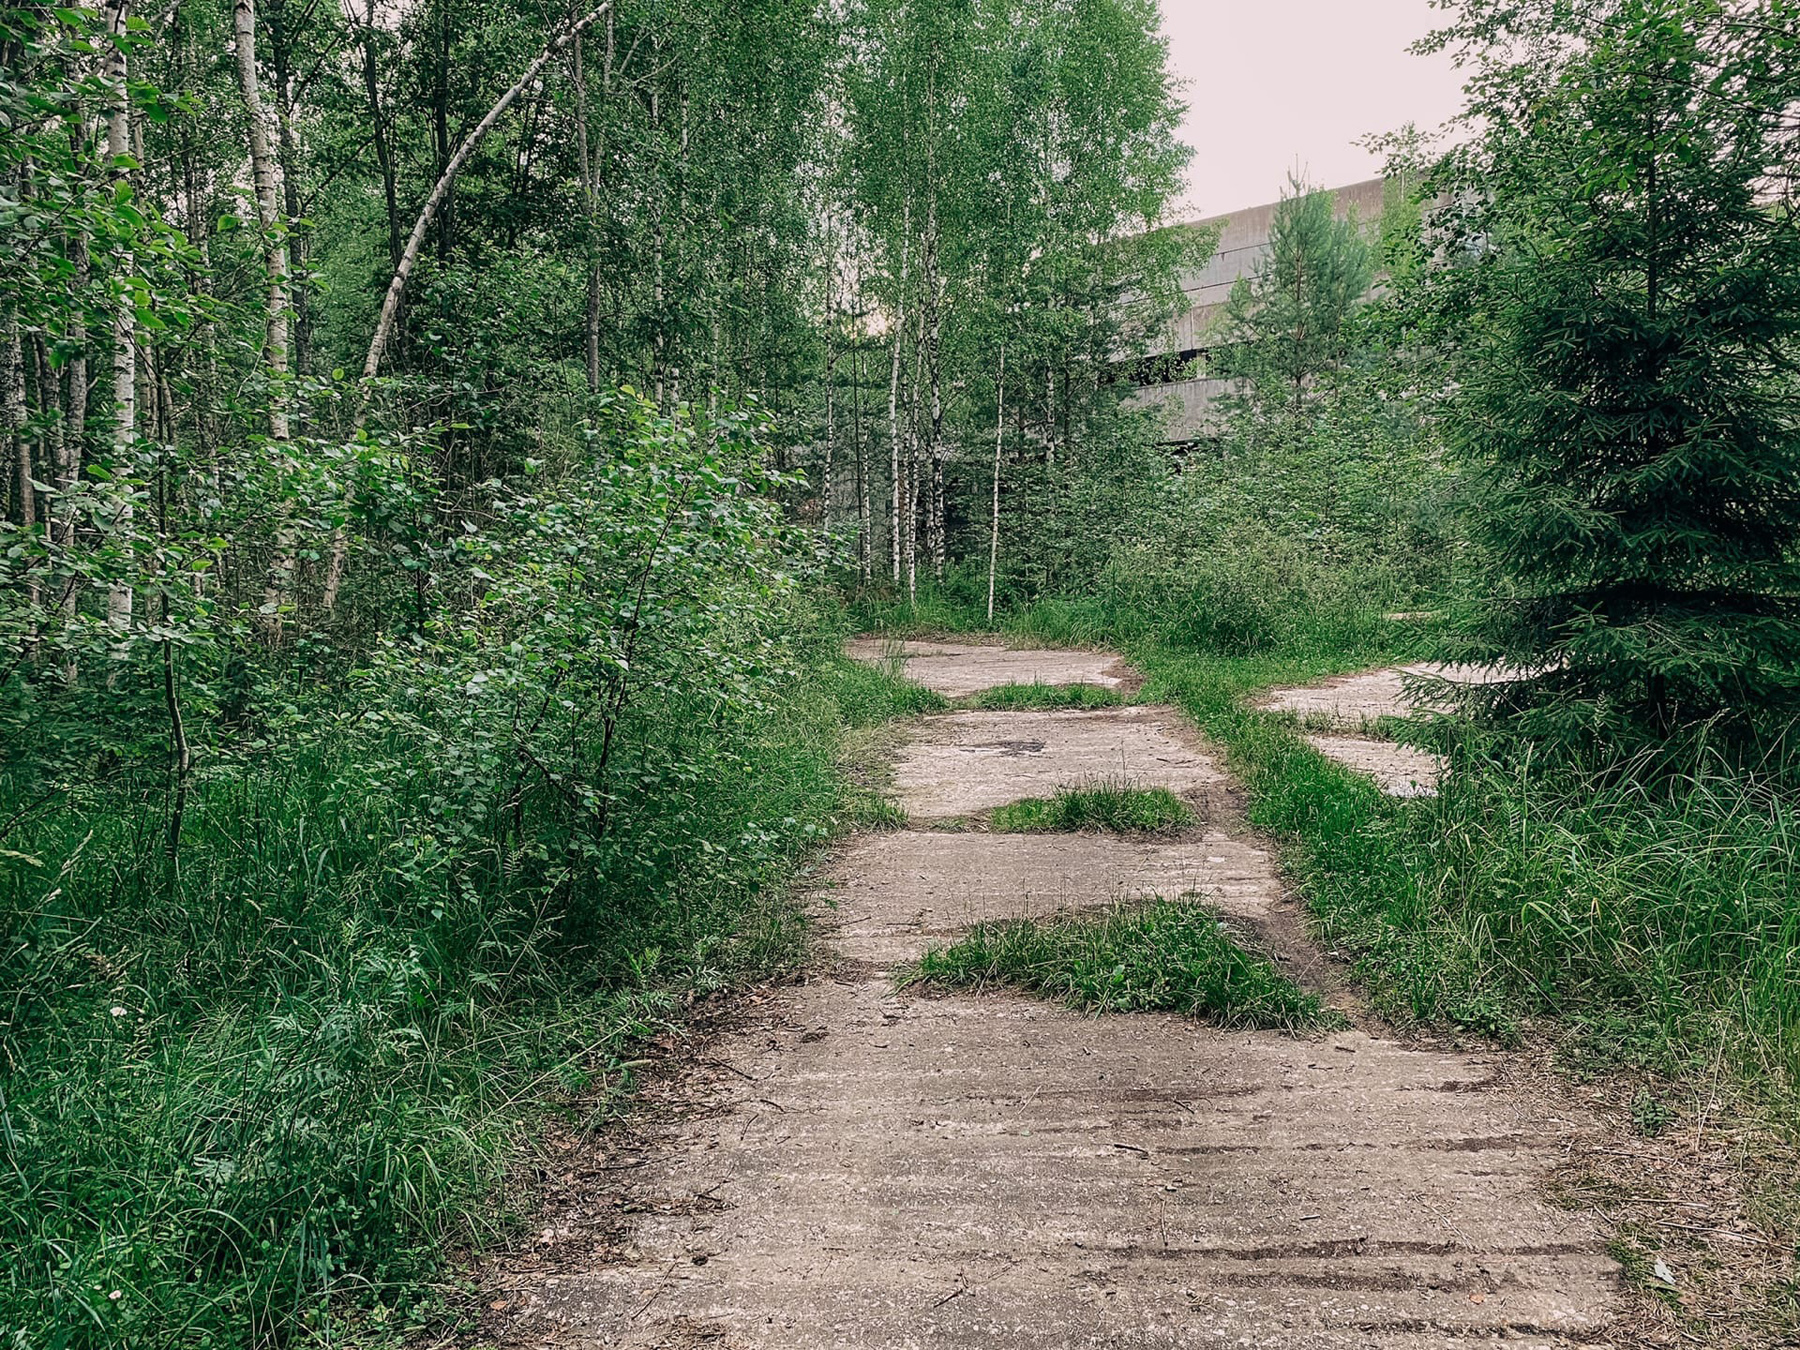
(1623, 265)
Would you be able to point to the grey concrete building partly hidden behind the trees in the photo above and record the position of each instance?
(1243, 244)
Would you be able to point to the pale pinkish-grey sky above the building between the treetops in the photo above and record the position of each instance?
(1284, 84)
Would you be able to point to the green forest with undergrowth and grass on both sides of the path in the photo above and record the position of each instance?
(444, 449)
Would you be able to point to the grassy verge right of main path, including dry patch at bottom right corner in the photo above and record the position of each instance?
(1655, 926)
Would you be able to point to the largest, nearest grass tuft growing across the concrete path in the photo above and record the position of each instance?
(1158, 957)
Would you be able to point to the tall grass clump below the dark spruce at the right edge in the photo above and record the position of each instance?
(1659, 910)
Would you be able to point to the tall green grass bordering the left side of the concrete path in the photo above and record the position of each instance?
(255, 1097)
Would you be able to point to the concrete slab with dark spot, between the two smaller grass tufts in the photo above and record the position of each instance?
(962, 764)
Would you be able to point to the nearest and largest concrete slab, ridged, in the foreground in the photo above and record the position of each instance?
(1000, 1174)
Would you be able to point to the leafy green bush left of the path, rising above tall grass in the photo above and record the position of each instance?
(615, 624)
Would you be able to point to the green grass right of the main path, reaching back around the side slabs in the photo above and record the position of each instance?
(1655, 915)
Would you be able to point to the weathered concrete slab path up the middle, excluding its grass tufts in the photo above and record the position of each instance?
(865, 1167)
